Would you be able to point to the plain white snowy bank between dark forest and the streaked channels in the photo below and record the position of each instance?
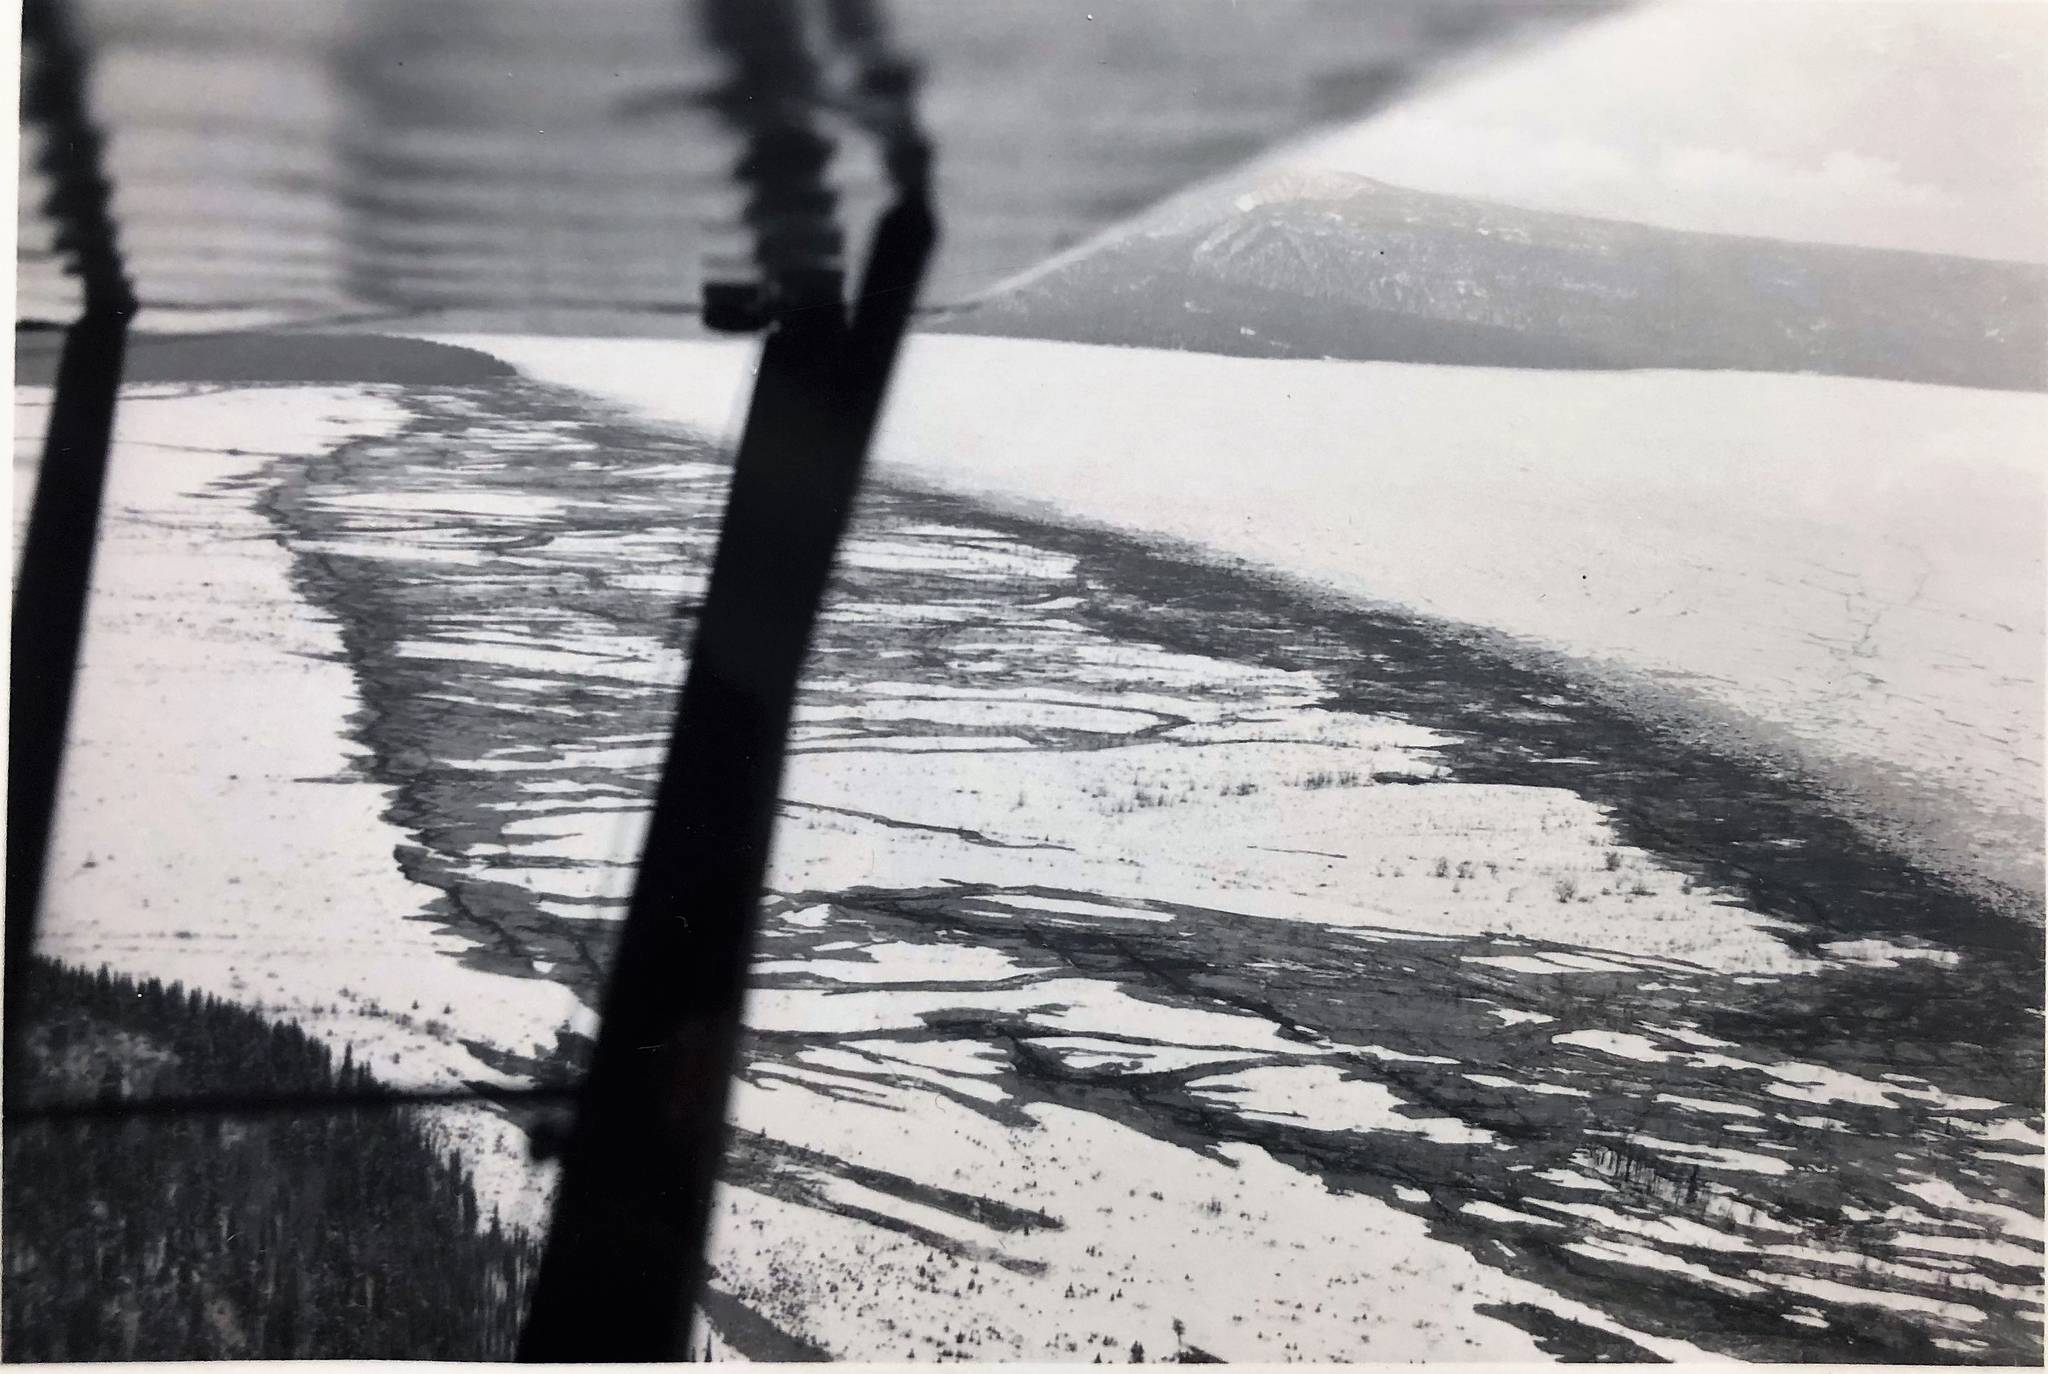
(214, 822)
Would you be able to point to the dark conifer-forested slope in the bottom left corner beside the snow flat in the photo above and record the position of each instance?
(323, 1234)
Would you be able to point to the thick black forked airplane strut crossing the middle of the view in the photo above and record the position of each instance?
(626, 1254)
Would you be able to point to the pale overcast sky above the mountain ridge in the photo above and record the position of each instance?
(1900, 124)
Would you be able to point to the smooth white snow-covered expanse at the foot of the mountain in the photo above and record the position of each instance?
(1842, 574)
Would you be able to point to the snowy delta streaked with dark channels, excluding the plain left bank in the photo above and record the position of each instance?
(1070, 830)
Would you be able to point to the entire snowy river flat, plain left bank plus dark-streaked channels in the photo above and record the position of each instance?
(1117, 931)
